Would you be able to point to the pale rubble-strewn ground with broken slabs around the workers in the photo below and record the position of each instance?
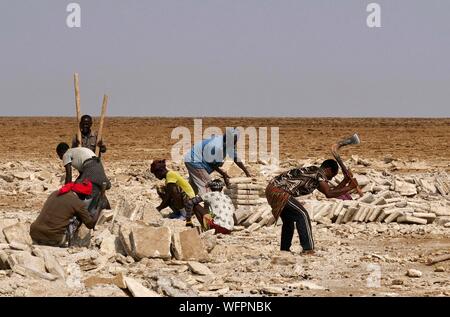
(248, 260)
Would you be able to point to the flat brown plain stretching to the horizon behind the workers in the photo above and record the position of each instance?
(146, 138)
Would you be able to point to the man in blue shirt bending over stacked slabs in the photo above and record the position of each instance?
(208, 156)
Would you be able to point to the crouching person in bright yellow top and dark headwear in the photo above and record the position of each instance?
(177, 192)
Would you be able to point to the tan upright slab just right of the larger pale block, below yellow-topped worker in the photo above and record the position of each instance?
(187, 245)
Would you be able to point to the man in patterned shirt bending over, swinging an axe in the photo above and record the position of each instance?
(283, 189)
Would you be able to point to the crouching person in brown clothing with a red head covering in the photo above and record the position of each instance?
(52, 225)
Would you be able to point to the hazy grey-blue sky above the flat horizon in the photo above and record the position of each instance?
(226, 58)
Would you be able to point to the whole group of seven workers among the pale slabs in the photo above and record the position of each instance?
(82, 200)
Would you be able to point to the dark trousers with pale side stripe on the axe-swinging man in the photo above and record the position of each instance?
(292, 213)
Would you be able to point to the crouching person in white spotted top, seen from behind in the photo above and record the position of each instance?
(221, 209)
